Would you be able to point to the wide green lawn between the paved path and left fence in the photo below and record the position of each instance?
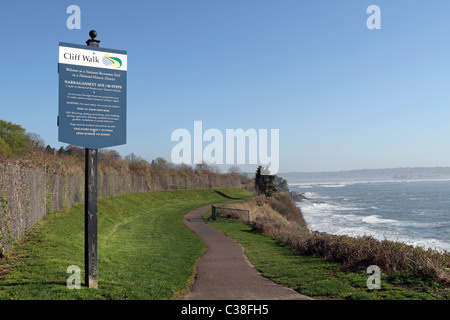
(144, 250)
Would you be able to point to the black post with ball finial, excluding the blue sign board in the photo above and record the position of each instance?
(90, 208)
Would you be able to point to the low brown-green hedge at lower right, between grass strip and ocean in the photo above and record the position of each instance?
(360, 252)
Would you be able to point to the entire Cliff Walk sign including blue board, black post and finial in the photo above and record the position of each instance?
(92, 115)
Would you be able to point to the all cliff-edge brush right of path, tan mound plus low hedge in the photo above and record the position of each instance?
(279, 217)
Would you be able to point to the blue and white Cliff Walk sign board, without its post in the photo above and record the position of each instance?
(92, 96)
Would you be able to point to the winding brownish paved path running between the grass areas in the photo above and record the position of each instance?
(224, 272)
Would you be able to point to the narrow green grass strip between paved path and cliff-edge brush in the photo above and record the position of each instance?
(313, 276)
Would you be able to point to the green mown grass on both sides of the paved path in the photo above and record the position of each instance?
(146, 253)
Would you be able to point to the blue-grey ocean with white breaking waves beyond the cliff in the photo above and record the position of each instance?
(413, 212)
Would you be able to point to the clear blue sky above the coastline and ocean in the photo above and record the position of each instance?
(342, 96)
